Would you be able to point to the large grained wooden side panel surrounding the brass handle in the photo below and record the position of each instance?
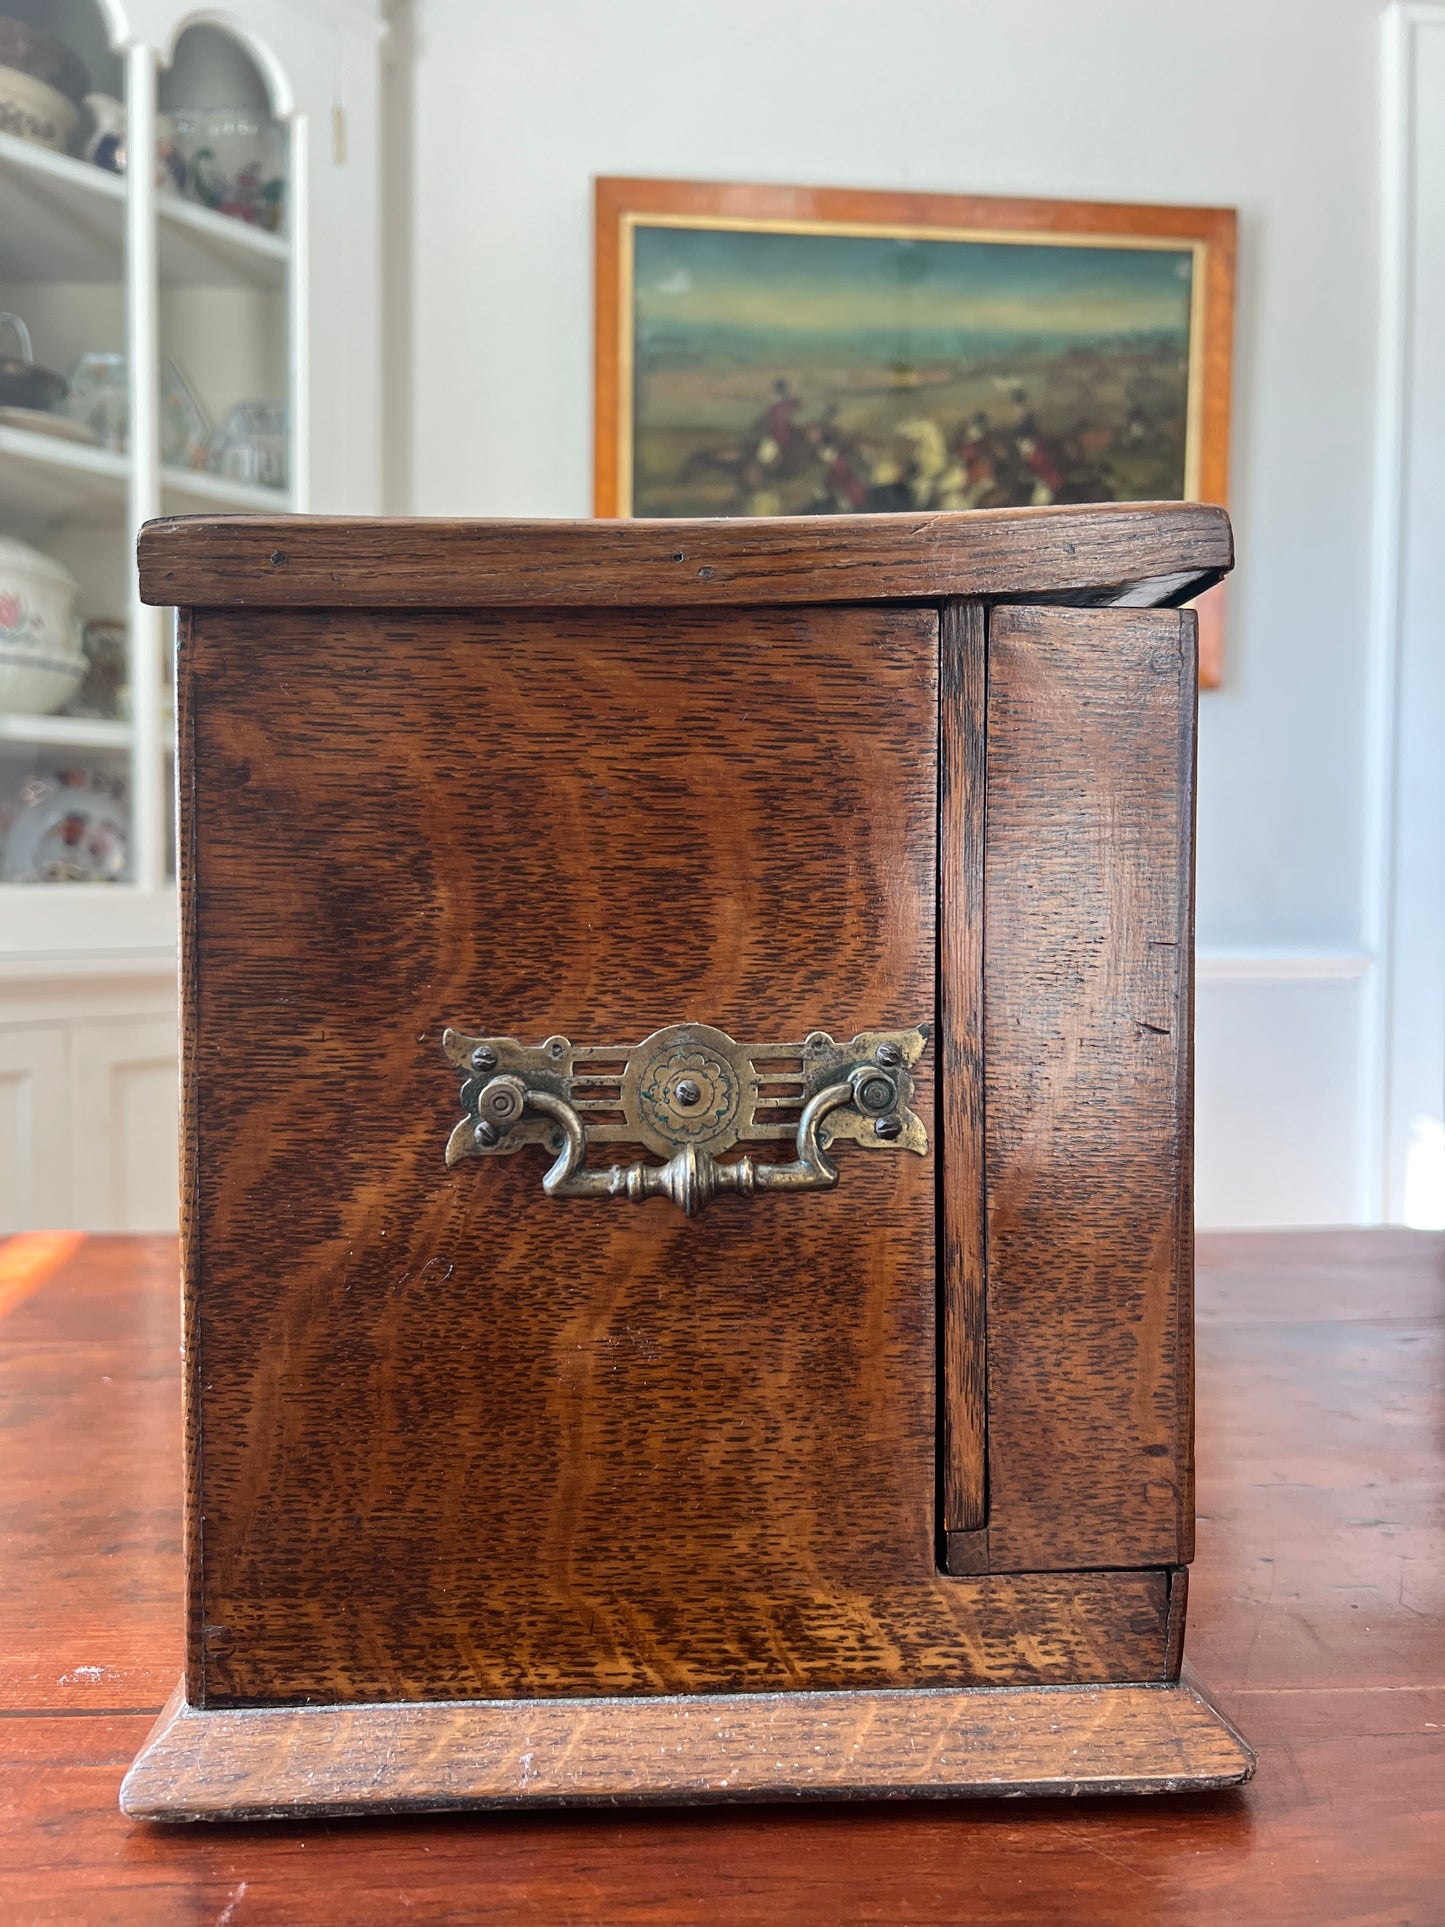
(458, 1437)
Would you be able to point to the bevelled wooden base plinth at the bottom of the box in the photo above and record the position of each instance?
(400, 1758)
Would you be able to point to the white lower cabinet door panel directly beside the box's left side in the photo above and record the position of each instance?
(124, 1124)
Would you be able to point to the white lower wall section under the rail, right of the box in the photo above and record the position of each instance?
(1278, 1101)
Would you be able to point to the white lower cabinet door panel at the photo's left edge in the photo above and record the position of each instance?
(34, 1128)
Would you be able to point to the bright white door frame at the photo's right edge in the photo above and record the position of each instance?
(1406, 832)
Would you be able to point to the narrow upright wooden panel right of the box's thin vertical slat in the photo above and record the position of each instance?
(1088, 997)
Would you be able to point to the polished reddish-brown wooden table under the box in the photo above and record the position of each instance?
(1317, 1616)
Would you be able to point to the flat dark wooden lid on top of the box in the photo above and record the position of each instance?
(1097, 552)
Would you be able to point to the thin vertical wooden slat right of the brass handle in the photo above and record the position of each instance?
(962, 710)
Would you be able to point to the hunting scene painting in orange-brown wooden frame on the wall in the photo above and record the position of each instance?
(818, 352)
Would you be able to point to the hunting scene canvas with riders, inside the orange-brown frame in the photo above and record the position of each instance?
(783, 373)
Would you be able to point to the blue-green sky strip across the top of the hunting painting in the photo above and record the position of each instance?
(779, 282)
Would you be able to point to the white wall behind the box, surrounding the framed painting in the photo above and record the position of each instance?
(1263, 105)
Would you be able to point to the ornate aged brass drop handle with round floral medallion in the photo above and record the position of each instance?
(689, 1094)
